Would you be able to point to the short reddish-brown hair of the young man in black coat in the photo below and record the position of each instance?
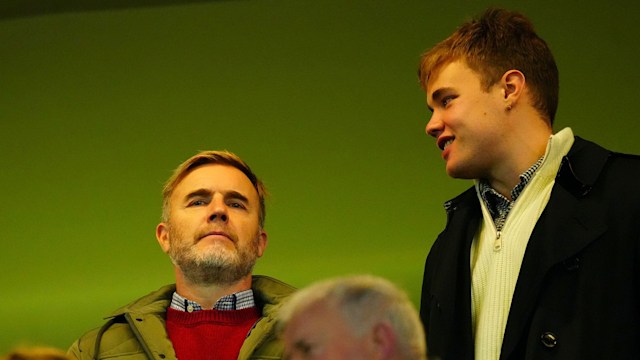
(496, 42)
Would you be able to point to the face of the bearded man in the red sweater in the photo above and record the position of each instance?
(213, 234)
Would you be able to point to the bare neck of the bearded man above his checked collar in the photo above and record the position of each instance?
(208, 294)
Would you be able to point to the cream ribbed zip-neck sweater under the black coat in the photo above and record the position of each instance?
(496, 257)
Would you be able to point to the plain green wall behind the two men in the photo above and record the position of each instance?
(319, 97)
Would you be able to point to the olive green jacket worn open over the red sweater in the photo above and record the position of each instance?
(138, 331)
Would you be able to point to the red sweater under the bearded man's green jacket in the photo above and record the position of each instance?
(210, 334)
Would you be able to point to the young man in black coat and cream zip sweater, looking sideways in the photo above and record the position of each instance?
(541, 257)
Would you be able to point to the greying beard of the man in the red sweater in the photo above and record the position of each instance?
(216, 265)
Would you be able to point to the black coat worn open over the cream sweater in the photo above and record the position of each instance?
(578, 291)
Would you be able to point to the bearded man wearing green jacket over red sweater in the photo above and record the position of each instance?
(212, 229)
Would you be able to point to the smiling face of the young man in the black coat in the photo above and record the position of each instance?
(467, 121)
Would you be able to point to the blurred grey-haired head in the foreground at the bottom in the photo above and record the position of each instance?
(357, 317)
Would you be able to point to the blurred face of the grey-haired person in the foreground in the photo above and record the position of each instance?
(319, 332)
